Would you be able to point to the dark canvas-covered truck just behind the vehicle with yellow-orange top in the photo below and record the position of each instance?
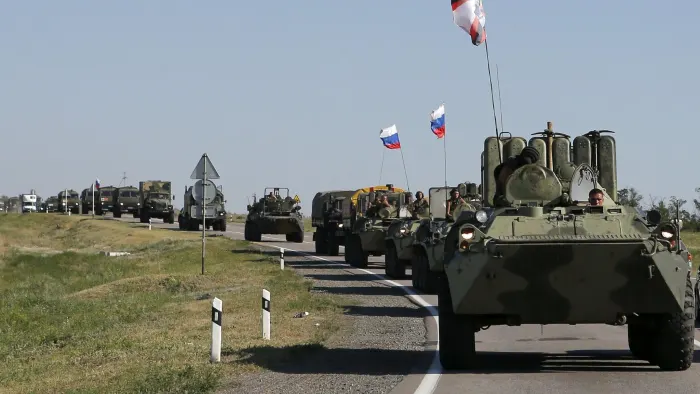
(327, 219)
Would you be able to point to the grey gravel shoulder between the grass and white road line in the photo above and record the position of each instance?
(382, 341)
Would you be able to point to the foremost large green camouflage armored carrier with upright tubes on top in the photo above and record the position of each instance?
(539, 254)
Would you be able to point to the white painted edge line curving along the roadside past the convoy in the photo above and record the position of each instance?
(431, 377)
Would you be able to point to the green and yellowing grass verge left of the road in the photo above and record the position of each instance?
(72, 320)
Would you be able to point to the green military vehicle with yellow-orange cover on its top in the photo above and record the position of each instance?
(366, 226)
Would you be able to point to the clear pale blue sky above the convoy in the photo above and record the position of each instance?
(294, 94)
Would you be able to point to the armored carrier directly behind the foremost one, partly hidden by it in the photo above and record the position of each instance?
(429, 239)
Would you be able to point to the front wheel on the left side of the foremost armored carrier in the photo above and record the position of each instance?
(456, 332)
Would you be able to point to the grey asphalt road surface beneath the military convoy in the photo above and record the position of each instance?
(529, 359)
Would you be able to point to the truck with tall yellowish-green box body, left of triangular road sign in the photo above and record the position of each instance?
(156, 201)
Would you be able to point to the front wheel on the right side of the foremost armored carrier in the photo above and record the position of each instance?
(674, 341)
